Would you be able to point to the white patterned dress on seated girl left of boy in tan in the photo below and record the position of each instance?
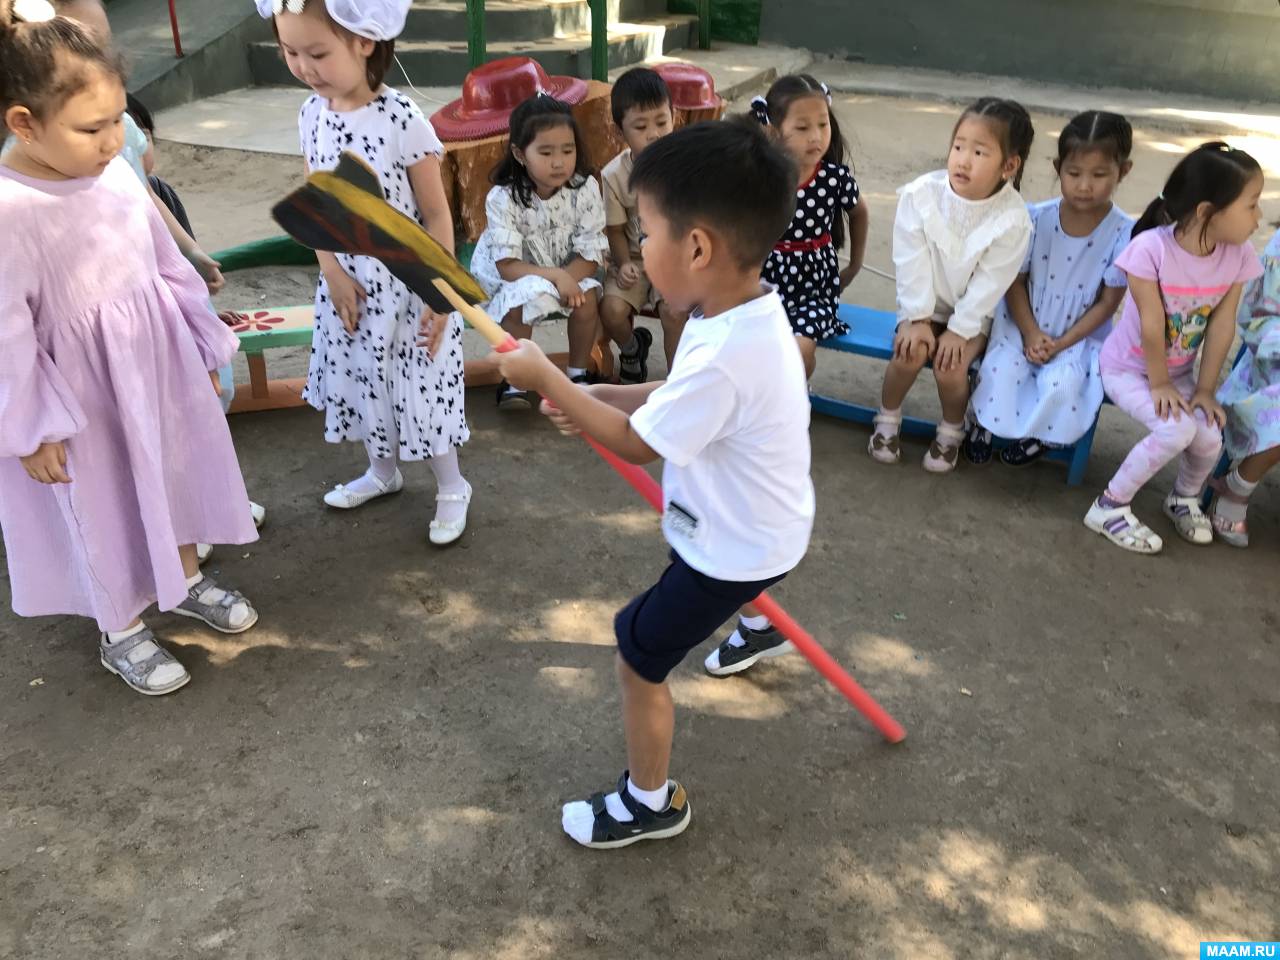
(545, 234)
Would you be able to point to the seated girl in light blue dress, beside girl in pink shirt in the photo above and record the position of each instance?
(1040, 383)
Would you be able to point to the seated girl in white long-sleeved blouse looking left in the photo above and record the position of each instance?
(959, 240)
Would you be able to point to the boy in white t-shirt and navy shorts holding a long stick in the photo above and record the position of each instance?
(733, 424)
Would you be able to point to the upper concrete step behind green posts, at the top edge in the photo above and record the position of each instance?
(519, 20)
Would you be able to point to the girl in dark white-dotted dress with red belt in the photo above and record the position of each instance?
(804, 266)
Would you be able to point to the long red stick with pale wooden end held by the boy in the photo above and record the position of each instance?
(650, 488)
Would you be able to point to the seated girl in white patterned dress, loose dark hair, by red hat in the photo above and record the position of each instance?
(545, 243)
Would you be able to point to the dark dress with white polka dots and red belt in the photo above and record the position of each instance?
(804, 264)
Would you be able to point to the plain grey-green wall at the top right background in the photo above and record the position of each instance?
(1219, 48)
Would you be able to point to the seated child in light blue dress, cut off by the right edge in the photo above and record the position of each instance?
(1252, 400)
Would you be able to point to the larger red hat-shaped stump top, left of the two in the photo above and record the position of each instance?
(492, 92)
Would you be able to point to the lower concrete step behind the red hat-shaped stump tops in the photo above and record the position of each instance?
(441, 63)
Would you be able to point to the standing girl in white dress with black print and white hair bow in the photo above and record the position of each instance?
(369, 373)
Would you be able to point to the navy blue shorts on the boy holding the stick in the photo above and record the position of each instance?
(659, 629)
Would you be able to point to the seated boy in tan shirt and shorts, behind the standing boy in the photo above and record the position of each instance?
(642, 113)
